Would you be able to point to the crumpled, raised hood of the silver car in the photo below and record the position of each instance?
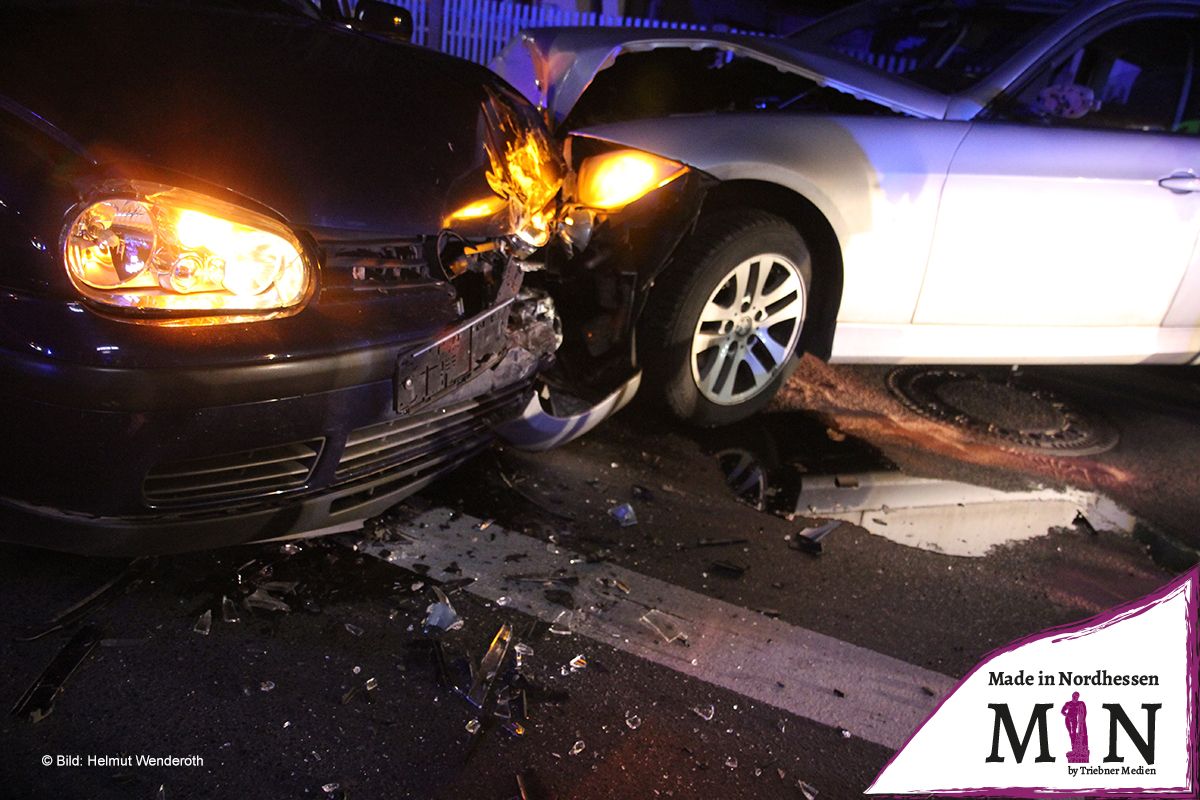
(554, 67)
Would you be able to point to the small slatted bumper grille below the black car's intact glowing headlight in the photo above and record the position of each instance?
(233, 477)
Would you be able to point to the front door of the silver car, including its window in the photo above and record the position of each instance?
(1076, 202)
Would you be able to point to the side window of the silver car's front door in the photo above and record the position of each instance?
(1136, 77)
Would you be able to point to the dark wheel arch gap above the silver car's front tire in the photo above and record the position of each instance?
(818, 232)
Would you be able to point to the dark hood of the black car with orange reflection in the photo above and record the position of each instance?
(329, 128)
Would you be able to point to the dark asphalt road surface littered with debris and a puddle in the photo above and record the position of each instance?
(705, 652)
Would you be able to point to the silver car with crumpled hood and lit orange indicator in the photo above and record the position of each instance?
(927, 182)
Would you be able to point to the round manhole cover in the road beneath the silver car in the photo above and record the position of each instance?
(1001, 406)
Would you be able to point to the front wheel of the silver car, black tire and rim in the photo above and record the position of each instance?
(713, 356)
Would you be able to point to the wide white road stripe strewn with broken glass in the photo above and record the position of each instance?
(730, 647)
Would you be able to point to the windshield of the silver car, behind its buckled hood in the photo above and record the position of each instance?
(943, 45)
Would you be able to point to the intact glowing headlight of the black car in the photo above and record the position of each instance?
(173, 251)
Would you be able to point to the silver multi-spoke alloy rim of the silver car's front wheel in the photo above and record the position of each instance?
(748, 329)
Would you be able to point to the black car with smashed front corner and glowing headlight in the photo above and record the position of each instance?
(205, 344)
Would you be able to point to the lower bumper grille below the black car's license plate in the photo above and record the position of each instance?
(421, 443)
